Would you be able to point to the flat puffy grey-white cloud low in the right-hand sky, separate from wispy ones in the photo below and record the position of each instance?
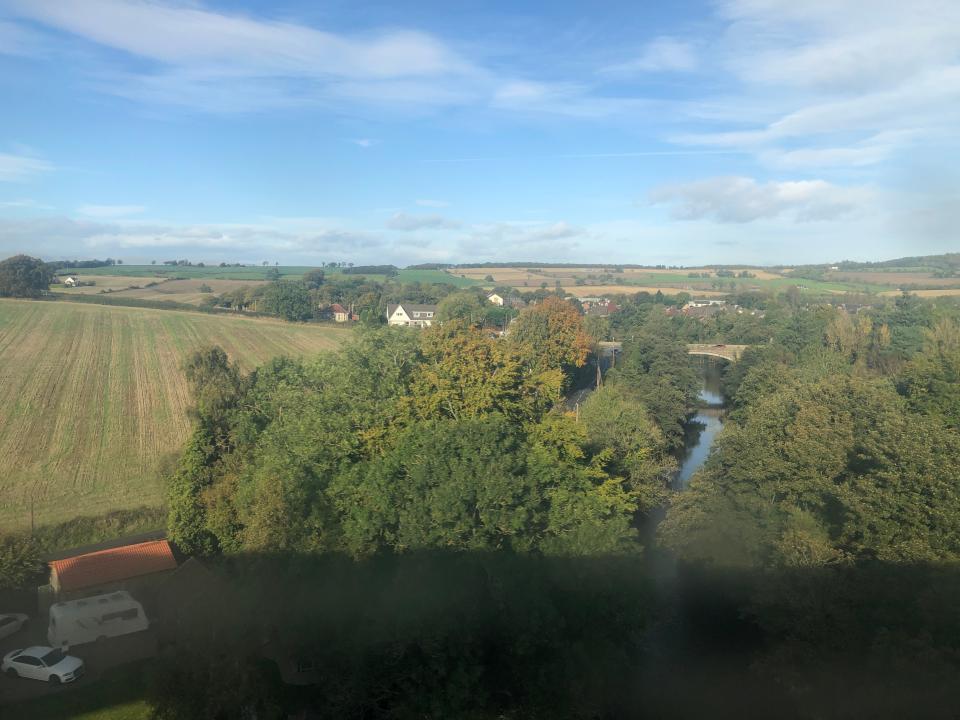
(744, 199)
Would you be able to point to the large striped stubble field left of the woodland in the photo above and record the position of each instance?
(93, 401)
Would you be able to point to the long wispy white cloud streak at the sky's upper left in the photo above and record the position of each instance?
(228, 62)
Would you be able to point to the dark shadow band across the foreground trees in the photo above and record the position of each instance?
(504, 635)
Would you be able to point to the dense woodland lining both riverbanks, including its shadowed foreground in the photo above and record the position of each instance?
(423, 517)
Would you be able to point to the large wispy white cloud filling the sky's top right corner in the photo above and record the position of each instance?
(842, 83)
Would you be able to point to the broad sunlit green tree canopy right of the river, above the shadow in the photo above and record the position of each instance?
(823, 471)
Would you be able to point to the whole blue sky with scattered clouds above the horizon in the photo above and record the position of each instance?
(759, 132)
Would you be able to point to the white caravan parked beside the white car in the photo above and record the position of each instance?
(75, 622)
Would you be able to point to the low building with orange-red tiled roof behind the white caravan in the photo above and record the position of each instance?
(128, 568)
